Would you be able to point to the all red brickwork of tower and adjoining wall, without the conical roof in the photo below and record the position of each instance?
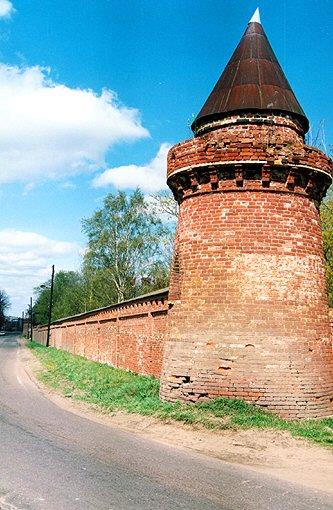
(248, 313)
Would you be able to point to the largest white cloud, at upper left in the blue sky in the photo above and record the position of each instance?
(51, 131)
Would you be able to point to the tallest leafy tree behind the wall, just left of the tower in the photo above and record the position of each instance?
(128, 249)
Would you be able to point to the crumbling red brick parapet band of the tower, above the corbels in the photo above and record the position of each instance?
(280, 141)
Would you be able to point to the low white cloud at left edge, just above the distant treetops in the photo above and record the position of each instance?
(25, 262)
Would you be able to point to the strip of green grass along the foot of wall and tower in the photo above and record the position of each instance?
(113, 389)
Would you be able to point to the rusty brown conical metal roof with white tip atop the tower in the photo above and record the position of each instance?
(253, 80)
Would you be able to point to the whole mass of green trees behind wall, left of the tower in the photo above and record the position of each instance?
(128, 254)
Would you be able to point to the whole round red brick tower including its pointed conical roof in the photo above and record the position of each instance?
(248, 305)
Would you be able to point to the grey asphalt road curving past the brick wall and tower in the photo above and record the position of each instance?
(54, 460)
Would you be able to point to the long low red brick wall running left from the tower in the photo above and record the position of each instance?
(129, 335)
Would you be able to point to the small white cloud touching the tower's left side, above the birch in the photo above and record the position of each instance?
(150, 178)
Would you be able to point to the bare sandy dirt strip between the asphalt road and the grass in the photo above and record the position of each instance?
(272, 452)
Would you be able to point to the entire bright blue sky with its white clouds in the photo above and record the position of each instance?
(156, 63)
